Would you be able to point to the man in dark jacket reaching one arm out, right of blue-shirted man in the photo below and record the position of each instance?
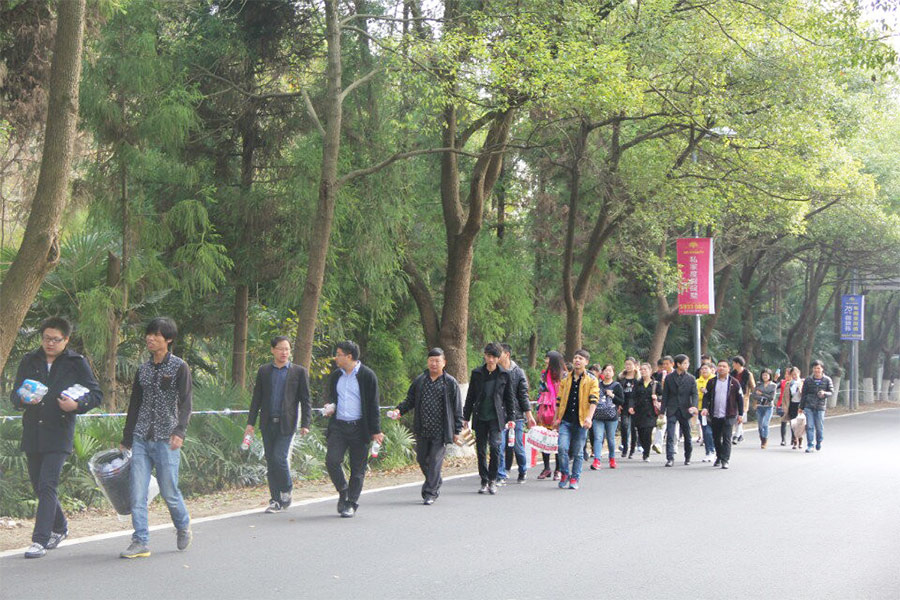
(435, 397)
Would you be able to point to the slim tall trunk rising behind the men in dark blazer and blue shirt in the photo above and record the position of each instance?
(324, 219)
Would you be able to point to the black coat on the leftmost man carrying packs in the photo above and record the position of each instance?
(45, 426)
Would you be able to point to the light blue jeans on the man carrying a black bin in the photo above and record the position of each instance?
(145, 455)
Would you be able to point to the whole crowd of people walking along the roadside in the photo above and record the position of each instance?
(583, 402)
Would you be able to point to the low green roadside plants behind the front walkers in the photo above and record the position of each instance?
(212, 459)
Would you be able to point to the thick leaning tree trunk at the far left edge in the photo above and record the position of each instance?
(39, 251)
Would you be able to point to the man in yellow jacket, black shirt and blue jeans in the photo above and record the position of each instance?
(575, 404)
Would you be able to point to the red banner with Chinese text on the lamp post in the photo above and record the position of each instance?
(695, 264)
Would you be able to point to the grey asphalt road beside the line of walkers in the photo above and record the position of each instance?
(778, 524)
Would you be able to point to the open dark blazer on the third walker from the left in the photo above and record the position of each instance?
(296, 398)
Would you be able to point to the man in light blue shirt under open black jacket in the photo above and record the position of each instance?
(353, 389)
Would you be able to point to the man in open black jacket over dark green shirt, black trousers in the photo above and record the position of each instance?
(489, 401)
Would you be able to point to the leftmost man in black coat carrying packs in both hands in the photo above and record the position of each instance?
(48, 425)
